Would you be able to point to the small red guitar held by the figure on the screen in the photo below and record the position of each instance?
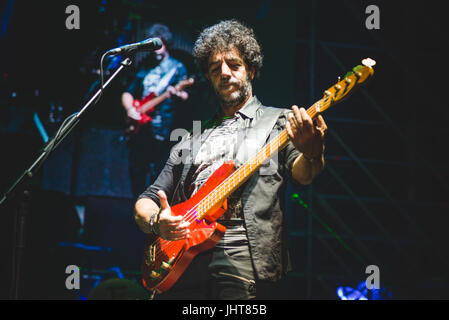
(147, 105)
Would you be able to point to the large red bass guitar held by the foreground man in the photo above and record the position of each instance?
(164, 261)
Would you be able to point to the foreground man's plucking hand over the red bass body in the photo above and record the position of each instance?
(171, 227)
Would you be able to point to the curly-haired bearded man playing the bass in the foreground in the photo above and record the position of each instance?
(252, 254)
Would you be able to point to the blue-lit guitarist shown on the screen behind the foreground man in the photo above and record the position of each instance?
(157, 74)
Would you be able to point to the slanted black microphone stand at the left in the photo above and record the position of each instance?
(23, 207)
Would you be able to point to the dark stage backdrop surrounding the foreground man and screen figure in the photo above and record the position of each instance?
(382, 199)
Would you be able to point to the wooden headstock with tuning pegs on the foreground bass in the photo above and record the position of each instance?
(343, 88)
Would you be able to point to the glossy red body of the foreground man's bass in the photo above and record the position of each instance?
(164, 261)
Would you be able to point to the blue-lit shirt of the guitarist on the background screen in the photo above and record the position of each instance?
(156, 80)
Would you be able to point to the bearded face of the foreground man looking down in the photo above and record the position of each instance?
(230, 78)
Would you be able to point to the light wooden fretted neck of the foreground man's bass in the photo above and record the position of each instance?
(234, 181)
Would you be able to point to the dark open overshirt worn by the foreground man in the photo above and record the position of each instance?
(261, 197)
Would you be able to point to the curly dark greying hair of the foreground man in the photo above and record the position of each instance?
(224, 36)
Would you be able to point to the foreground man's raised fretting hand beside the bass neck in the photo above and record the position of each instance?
(305, 136)
